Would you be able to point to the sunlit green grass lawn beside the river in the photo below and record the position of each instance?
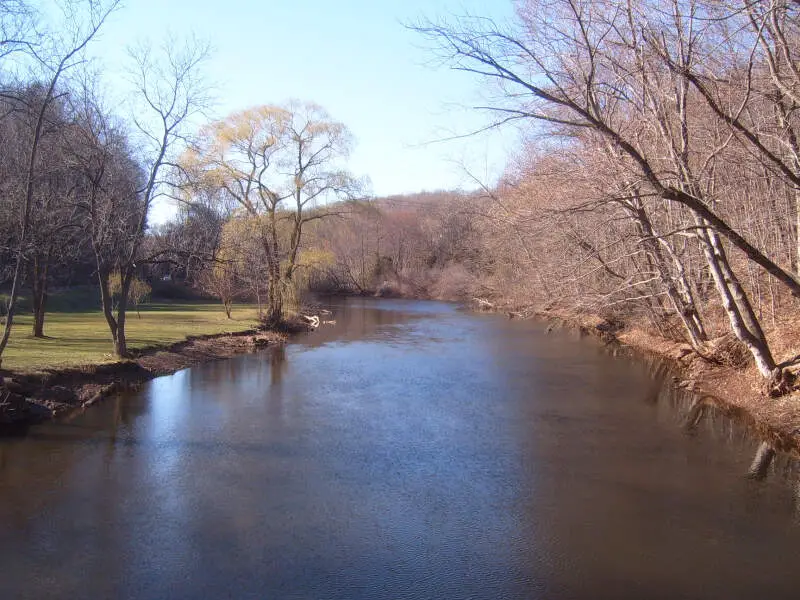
(79, 338)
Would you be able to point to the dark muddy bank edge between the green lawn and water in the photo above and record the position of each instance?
(28, 398)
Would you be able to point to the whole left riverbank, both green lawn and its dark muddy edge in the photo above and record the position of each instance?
(71, 368)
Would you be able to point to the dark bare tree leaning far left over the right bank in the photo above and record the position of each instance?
(553, 71)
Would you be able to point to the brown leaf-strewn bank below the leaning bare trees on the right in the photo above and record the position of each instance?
(729, 383)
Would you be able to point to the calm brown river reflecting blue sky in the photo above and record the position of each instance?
(409, 451)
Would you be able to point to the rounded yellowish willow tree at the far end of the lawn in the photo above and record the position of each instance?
(283, 165)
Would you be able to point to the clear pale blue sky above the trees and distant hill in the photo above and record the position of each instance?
(353, 57)
